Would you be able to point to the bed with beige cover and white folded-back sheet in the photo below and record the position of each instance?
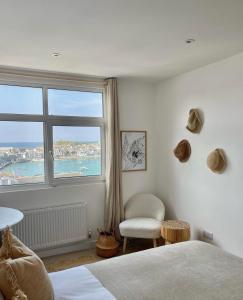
(185, 271)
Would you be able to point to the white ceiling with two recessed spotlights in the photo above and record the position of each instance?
(137, 38)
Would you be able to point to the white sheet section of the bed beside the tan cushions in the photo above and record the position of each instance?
(78, 284)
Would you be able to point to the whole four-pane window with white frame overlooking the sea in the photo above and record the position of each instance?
(50, 136)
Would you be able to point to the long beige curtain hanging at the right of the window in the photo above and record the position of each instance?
(114, 210)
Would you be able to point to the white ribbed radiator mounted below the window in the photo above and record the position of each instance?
(53, 226)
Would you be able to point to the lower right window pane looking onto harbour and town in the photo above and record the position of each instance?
(77, 151)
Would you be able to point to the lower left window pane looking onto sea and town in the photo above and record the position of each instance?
(21, 152)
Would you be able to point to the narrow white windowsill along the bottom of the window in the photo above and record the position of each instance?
(42, 186)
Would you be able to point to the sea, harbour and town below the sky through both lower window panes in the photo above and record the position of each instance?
(22, 162)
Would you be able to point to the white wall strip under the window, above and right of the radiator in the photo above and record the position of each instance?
(93, 194)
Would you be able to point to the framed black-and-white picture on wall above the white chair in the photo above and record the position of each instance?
(134, 150)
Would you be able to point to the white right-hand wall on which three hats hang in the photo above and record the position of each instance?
(189, 190)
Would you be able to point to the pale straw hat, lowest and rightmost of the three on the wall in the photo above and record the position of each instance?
(216, 161)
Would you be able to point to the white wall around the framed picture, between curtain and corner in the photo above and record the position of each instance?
(136, 104)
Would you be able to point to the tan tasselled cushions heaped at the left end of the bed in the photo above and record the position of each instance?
(22, 273)
